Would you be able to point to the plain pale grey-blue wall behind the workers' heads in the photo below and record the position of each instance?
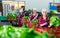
(39, 4)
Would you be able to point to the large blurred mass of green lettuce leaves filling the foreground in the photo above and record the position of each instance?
(21, 32)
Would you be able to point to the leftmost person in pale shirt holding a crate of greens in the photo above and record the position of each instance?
(12, 12)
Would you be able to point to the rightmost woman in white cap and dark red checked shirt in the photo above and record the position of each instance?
(43, 21)
